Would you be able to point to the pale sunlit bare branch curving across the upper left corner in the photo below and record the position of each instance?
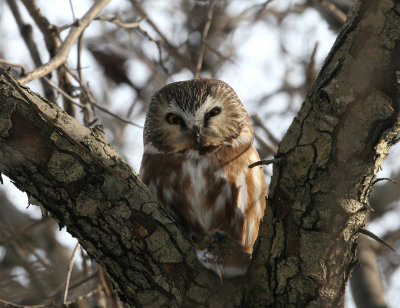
(63, 52)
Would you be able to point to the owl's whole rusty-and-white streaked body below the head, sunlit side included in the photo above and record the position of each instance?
(207, 195)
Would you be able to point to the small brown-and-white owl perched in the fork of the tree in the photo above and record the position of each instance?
(198, 145)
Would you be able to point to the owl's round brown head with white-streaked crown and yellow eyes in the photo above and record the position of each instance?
(199, 114)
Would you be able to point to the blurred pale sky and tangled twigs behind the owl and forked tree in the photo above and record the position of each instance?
(270, 52)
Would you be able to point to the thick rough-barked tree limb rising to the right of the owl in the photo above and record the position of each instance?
(319, 195)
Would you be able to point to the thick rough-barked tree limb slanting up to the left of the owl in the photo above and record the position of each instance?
(70, 171)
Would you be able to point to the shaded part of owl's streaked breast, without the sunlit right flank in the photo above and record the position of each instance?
(199, 193)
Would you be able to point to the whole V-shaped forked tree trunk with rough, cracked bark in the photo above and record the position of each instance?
(318, 196)
